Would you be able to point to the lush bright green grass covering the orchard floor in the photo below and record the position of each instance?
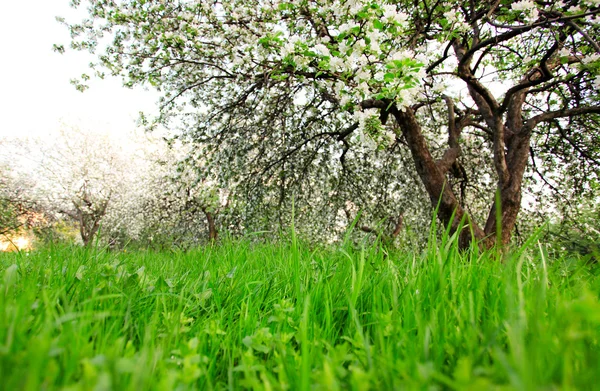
(258, 316)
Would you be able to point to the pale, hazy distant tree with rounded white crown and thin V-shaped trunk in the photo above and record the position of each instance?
(80, 173)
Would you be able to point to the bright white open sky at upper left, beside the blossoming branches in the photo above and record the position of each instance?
(35, 93)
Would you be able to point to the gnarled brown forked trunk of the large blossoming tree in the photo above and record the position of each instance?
(510, 153)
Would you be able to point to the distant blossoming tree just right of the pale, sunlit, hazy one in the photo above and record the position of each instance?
(165, 203)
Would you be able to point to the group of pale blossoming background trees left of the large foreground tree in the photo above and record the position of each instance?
(133, 188)
